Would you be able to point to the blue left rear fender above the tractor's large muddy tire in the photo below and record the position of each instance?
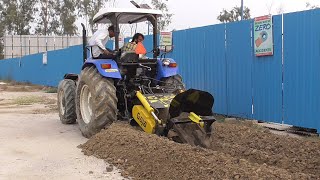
(113, 72)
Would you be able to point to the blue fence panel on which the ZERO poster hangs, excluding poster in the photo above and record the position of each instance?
(267, 80)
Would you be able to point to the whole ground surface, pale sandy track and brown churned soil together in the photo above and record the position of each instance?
(35, 145)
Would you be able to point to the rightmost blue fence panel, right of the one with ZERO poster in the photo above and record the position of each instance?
(301, 69)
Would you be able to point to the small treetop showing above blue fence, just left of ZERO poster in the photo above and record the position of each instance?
(234, 14)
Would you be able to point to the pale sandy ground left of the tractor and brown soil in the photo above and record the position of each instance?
(35, 145)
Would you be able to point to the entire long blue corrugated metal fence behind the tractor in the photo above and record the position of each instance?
(220, 59)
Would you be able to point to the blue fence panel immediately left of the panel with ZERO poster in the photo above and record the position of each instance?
(239, 63)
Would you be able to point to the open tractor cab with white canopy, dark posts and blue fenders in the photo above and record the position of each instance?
(131, 64)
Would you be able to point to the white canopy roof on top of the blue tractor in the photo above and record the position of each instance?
(125, 15)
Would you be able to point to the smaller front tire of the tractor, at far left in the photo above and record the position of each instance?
(66, 101)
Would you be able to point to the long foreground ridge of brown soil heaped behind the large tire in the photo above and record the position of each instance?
(145, 156)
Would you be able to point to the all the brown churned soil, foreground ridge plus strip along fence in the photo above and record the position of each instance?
(238, 151)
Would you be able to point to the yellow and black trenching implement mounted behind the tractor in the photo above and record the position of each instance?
(194, 129)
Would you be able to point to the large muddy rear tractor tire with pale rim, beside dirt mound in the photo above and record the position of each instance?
(96, 102)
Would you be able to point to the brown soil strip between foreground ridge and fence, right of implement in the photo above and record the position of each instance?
(257, 145)
